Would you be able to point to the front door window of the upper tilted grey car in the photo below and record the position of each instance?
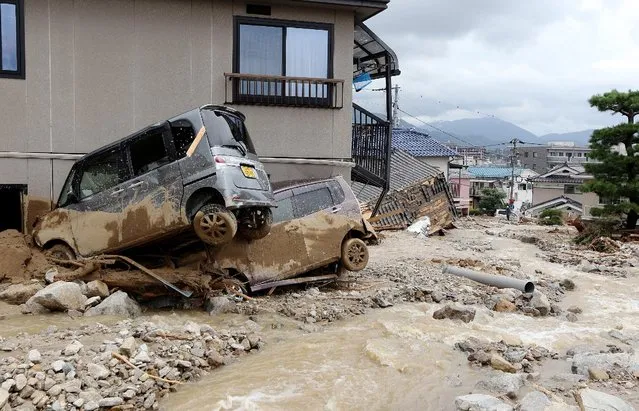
(100, 173)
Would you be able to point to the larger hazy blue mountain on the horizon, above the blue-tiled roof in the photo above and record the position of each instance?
(478, 131)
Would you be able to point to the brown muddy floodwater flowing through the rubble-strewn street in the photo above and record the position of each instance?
(400, 357)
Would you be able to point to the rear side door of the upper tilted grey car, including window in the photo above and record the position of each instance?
(153, 196)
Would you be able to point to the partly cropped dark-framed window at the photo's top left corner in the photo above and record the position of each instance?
(11, 39)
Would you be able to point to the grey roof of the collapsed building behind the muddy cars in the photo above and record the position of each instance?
(405, 171)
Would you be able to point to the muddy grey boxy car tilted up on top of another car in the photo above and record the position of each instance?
(197, 171)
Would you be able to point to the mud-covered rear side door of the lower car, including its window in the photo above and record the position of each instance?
(322, 227)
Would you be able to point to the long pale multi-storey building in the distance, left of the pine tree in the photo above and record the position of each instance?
(545, 158)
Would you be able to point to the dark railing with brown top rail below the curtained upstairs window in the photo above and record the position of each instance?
(283, 91)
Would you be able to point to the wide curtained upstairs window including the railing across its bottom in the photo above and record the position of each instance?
(284, 63)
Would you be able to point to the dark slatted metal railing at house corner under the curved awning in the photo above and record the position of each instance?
(370, 140)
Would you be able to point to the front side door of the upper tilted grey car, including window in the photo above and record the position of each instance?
(96, 213)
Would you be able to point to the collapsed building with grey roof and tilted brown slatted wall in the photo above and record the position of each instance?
(416, 190)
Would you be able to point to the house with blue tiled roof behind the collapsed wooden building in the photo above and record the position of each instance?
(425, 148)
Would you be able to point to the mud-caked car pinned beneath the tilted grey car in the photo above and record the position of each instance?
(316, 225)
